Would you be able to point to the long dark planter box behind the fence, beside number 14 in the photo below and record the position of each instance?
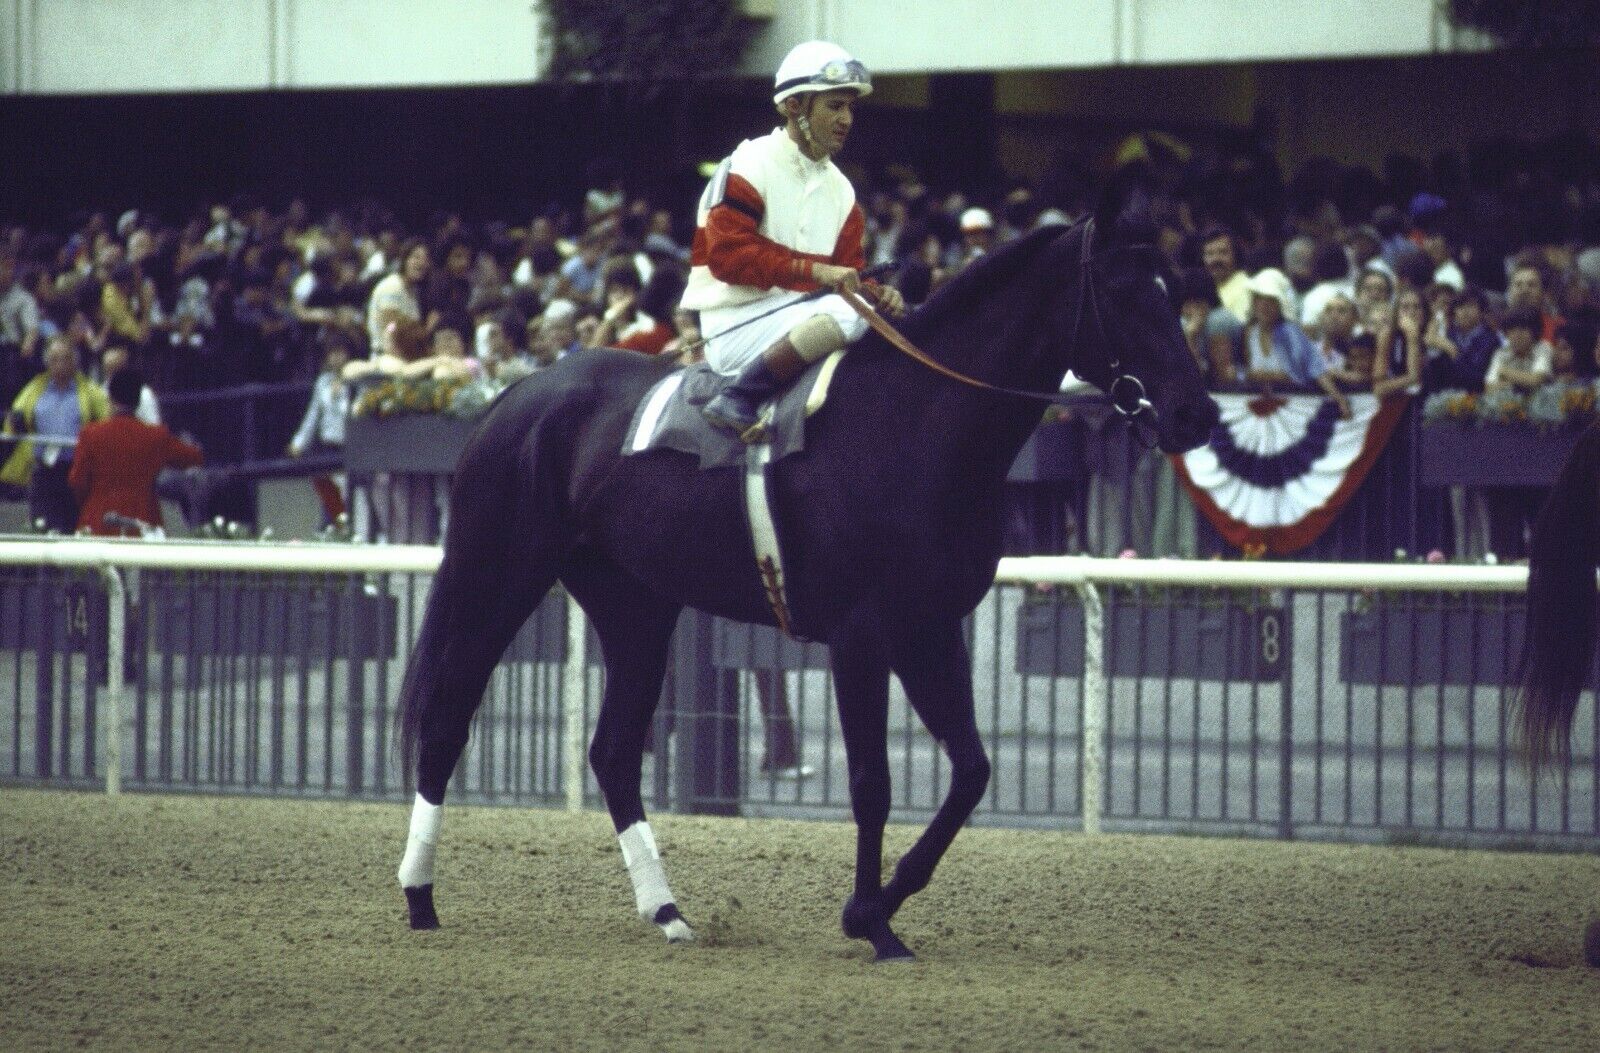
(292, 619)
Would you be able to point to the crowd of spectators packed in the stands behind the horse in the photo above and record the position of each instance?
(1463, 274)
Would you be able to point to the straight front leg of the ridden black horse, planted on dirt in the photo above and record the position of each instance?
(862, 684)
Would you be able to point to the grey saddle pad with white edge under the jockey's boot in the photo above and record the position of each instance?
(670, 415)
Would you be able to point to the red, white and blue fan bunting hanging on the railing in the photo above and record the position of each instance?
(1281, 468)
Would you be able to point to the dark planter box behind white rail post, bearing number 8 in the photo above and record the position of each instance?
(1185, 641)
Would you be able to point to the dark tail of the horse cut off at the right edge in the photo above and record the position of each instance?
(1561, 636)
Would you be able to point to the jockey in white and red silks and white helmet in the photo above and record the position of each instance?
(777, 222)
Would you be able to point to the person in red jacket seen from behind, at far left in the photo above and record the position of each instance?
(118, 462)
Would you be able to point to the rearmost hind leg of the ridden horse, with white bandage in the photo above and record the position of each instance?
(463, 638)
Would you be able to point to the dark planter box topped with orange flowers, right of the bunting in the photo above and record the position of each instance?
(1494, 455)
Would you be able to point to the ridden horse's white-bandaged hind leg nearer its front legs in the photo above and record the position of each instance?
(636, 630)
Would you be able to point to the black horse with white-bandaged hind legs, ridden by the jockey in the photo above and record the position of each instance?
(890, 522)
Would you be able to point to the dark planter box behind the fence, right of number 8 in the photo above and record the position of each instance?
(1402, 646)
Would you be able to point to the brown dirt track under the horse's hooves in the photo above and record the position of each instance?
(174, 923)
